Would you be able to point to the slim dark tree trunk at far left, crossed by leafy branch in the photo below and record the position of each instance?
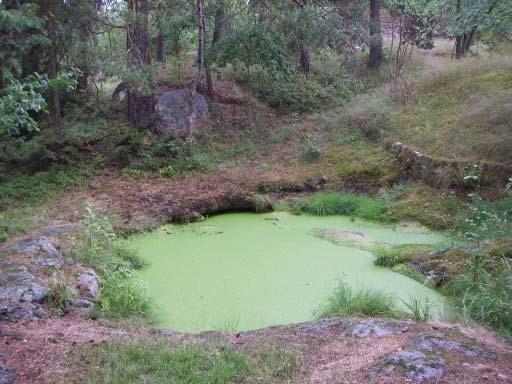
(54, 104)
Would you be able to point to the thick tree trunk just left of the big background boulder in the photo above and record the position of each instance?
(140, 105)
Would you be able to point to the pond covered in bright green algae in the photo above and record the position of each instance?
(243, 271)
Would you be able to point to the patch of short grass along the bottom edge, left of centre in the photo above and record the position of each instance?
(158, 362)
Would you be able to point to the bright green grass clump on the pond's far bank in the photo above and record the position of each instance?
(334, 203)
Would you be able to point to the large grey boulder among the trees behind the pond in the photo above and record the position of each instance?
(174, 114)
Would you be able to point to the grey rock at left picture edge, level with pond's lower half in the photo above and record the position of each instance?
(23, 288)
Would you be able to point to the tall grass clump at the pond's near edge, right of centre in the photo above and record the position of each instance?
(347, 301)
